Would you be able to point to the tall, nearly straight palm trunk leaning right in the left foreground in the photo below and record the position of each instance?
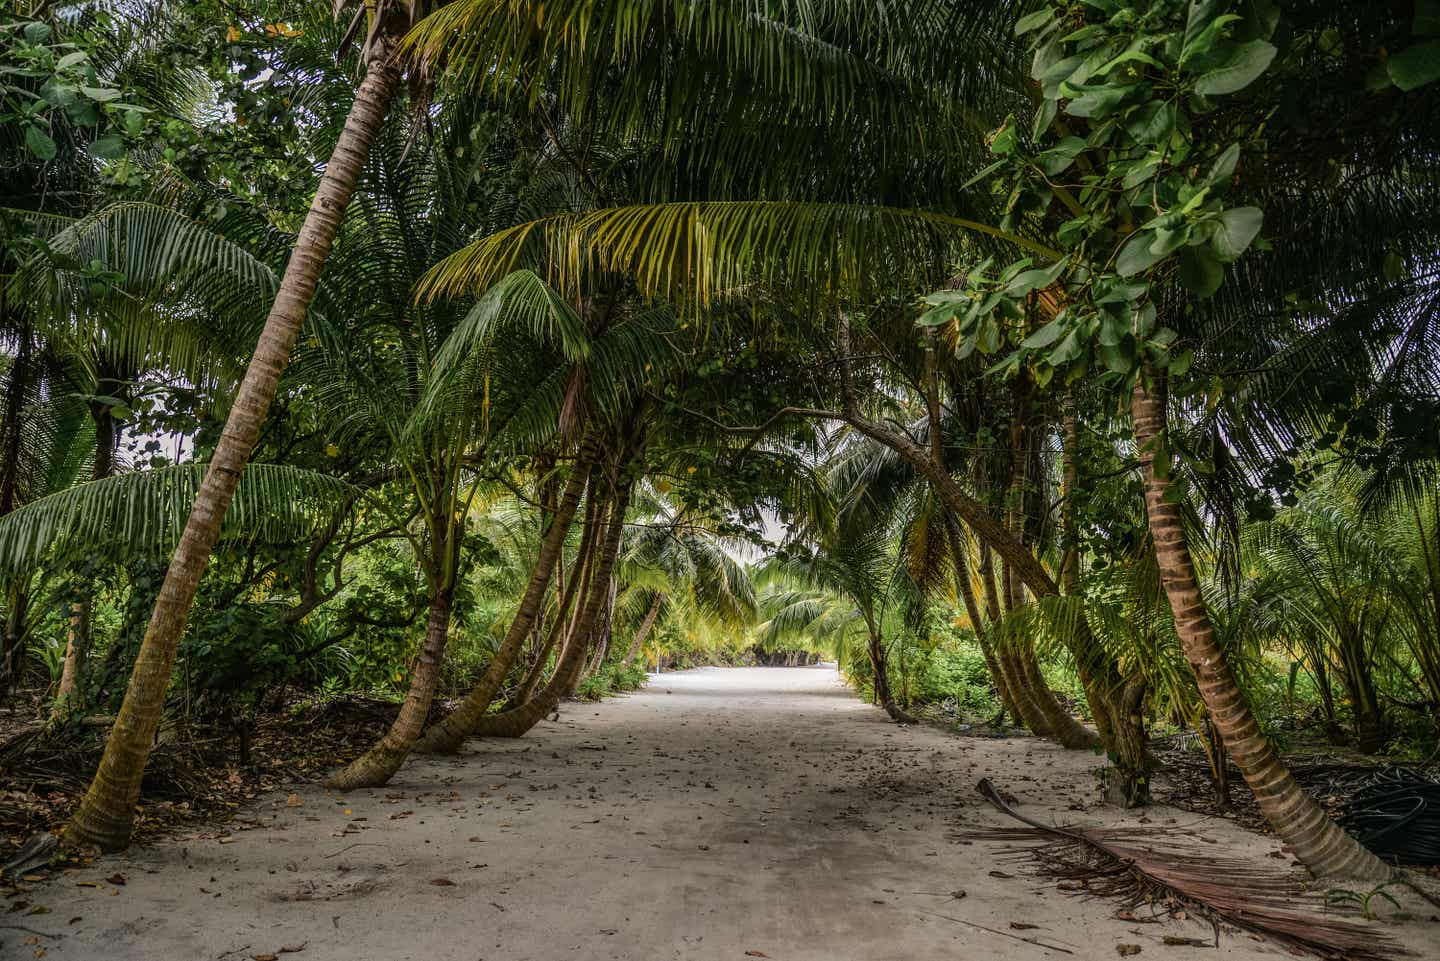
(107, 813)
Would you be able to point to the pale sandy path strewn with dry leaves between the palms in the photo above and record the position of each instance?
(722, 813)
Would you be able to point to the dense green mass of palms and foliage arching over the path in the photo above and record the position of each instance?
(1029, 359)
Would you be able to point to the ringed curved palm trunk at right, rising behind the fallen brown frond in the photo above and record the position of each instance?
(1297, 819)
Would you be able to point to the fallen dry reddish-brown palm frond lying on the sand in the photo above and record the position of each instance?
(1150, 867)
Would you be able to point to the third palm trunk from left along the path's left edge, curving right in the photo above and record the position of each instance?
(447, 736)
